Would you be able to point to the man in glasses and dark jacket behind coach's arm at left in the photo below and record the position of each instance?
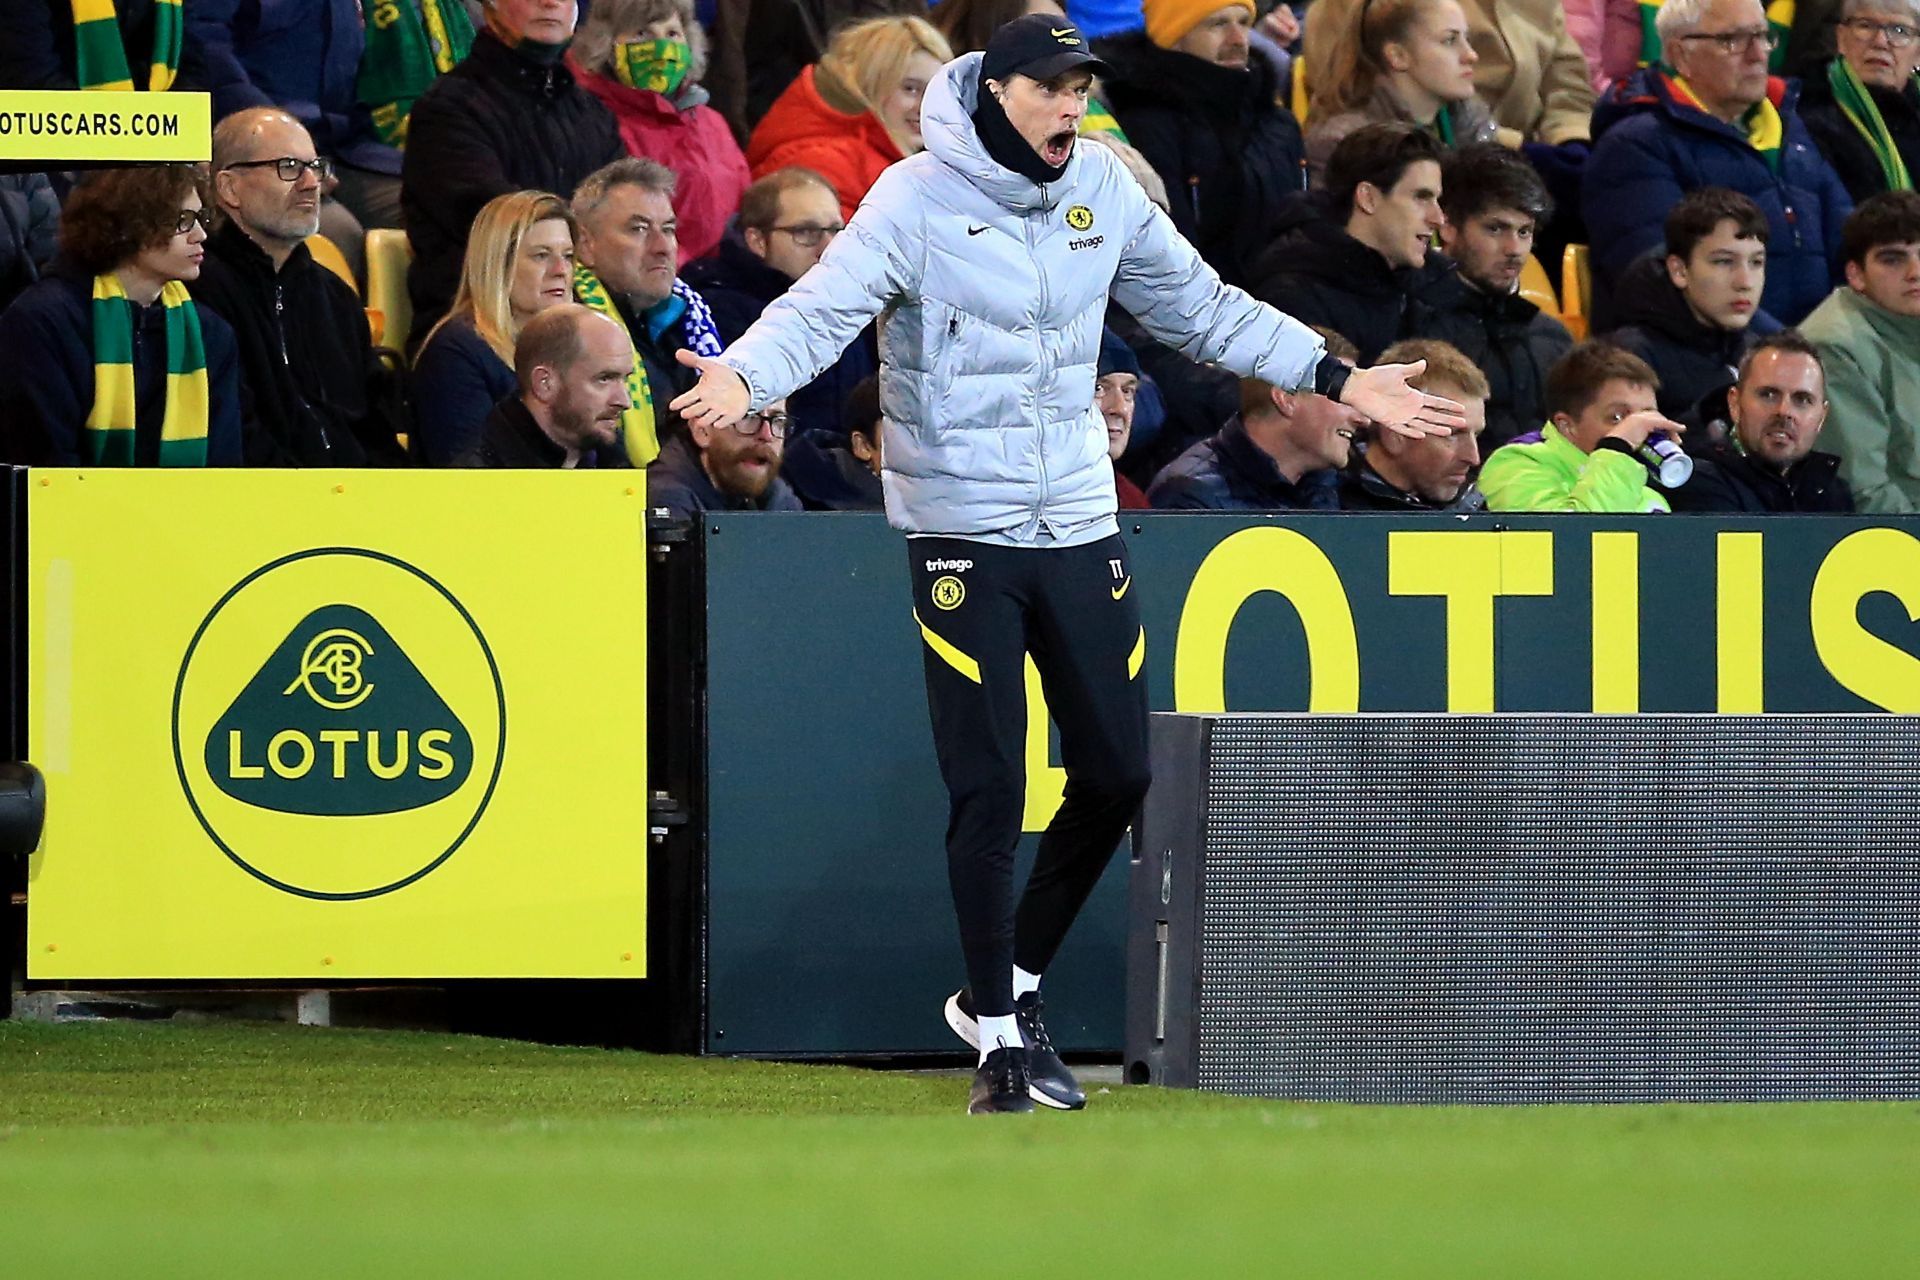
(786, 224)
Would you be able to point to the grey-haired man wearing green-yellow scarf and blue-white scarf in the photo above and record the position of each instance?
(627, 254)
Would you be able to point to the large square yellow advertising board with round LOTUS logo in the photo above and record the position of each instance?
(337, 724)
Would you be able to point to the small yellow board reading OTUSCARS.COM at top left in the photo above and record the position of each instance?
(78, 128)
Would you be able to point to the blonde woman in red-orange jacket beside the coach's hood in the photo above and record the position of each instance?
(857, 110)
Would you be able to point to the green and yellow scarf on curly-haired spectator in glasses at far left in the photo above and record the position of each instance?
(110, 427)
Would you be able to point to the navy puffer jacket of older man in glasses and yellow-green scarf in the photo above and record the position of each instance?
(1652, 149)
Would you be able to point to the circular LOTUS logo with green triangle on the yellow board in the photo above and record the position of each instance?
(339, 724)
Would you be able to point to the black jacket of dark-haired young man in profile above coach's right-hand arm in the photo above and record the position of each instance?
(1320, 275)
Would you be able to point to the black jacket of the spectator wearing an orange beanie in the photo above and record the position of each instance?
(1228, 153)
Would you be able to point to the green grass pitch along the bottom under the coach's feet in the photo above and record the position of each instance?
(251, 1150)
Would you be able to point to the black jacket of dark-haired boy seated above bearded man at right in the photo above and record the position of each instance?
(1692, 360)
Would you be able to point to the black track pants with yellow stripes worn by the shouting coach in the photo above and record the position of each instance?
(980, 611)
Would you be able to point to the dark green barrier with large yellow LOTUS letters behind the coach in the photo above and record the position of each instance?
(830, 928)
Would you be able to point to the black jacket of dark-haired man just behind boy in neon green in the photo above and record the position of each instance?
(1510, 339)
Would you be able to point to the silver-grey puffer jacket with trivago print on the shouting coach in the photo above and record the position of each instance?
(994, 291)
